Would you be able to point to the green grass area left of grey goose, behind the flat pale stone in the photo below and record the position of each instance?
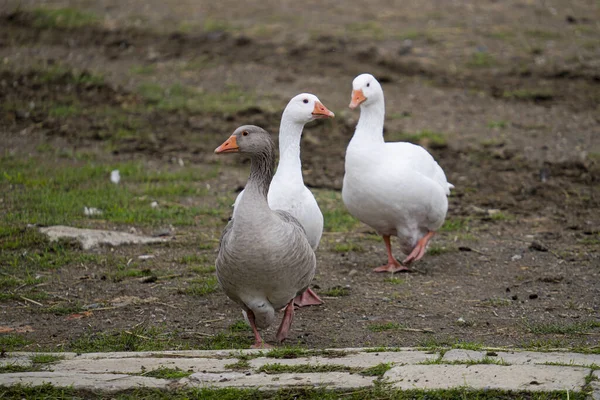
(34, 196)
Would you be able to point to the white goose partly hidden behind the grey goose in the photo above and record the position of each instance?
(287, 191)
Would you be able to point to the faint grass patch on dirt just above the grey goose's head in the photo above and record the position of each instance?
(179, 97)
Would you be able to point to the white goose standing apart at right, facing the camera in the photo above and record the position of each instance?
(396, 188)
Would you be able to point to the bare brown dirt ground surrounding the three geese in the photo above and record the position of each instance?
(511, 90)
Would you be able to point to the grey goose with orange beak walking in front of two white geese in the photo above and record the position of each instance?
(264, 259)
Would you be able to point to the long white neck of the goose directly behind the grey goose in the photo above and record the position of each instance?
(290, 166)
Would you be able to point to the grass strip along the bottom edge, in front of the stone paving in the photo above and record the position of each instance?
(377, 392)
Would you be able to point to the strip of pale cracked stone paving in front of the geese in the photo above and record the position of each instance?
(112, 372)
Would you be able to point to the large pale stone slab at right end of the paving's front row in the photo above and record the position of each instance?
(488, 376)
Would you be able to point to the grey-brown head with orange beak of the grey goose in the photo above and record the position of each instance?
(248, 139)
